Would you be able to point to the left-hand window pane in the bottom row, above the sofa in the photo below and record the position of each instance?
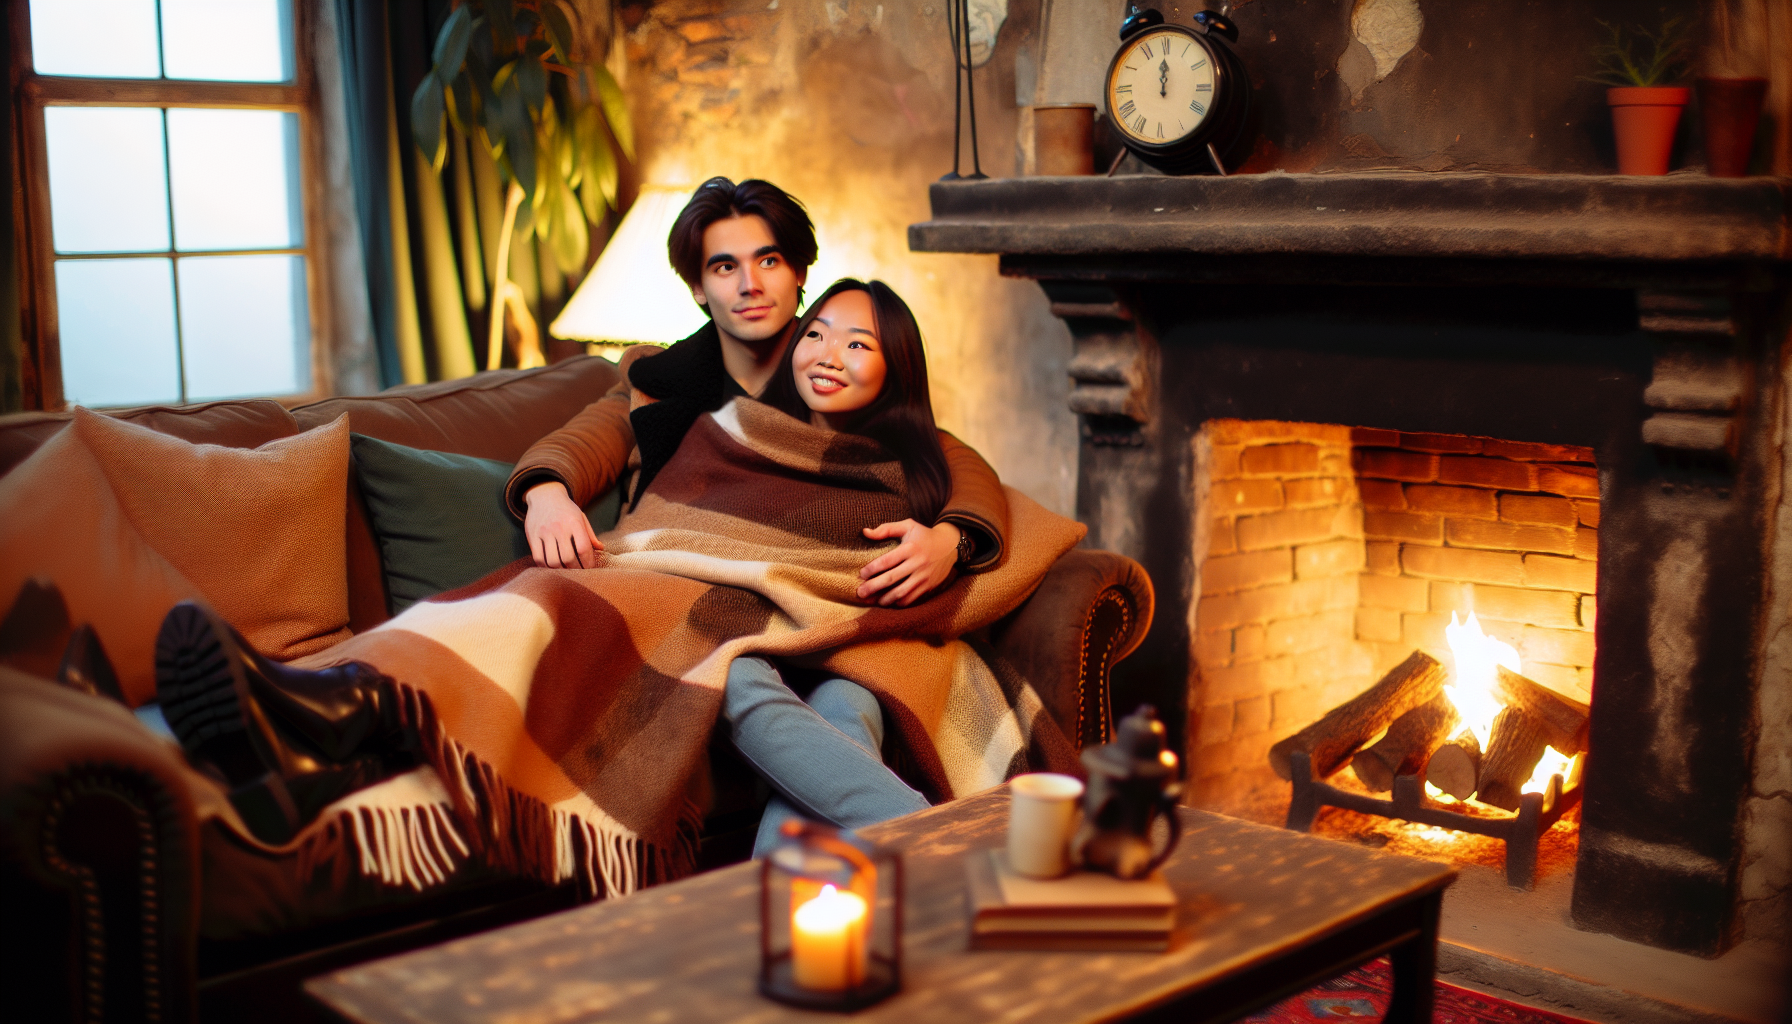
(117, 331)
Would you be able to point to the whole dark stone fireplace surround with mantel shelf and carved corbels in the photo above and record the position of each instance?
(1635, 318)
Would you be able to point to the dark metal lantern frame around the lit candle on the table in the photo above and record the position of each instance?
(870, 872)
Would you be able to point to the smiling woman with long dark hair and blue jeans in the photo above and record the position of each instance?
(856, 367)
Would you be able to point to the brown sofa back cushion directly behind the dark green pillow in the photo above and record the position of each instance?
(494, 415)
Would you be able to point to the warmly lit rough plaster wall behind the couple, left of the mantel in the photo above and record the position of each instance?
(849, 105)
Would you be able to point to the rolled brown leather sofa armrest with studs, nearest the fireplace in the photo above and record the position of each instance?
(1090, 611)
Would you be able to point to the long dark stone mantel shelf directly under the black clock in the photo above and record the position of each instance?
(1596, 220)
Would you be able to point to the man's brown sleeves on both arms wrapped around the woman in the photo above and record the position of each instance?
(598, 447)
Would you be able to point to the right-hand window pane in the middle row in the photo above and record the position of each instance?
(236, 178)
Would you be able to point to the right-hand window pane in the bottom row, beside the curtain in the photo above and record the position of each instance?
(245, 327)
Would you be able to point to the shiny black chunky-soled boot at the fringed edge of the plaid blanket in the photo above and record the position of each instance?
(286, 742)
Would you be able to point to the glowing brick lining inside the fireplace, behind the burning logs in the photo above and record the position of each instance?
(1332, 553)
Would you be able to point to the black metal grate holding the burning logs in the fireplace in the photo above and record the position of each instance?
(1521, 833)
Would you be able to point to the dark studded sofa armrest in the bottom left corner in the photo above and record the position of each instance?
(99, 863)
